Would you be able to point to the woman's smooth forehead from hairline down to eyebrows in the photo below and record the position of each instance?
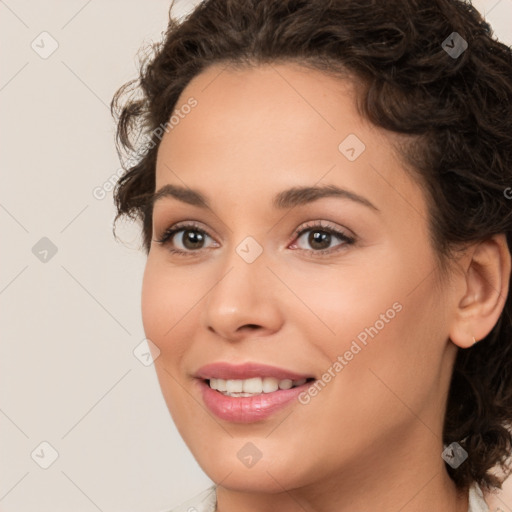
(277, 125)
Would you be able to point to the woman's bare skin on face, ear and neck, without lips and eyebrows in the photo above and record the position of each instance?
(372, 438)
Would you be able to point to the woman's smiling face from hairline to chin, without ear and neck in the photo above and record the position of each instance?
(262, 279)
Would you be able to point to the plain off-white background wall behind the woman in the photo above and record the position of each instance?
(70, 324)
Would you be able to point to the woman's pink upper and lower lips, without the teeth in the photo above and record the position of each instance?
(252, 408)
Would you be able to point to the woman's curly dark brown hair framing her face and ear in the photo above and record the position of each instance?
(455, 109)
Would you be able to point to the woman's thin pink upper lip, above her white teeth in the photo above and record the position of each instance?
(223, 370)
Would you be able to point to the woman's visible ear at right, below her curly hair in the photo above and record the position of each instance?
(486, 279)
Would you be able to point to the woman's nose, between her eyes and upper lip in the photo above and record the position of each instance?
(244, 302)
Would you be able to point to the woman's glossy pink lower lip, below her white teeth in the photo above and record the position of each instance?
(248, 409)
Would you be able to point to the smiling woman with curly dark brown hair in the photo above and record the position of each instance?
(326, 210)
